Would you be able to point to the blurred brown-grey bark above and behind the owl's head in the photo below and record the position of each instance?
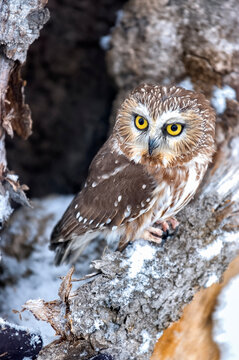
(165, 41)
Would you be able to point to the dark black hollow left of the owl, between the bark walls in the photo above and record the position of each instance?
(70, 95)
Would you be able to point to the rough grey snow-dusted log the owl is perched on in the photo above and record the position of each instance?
(123, 310)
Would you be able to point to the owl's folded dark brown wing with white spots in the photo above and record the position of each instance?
(116, 191)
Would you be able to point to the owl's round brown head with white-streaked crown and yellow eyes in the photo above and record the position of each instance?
(165, 125)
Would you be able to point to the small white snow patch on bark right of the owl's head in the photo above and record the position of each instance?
(219, 97)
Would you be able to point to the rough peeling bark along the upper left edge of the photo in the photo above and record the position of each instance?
(20, 23)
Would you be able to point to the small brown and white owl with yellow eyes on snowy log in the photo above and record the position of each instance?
(144, 174)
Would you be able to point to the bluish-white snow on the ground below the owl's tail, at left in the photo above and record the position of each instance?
(37, 276)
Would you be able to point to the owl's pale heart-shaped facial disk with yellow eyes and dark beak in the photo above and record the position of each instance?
(158, 139)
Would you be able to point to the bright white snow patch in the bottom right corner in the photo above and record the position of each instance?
(226, 321)
